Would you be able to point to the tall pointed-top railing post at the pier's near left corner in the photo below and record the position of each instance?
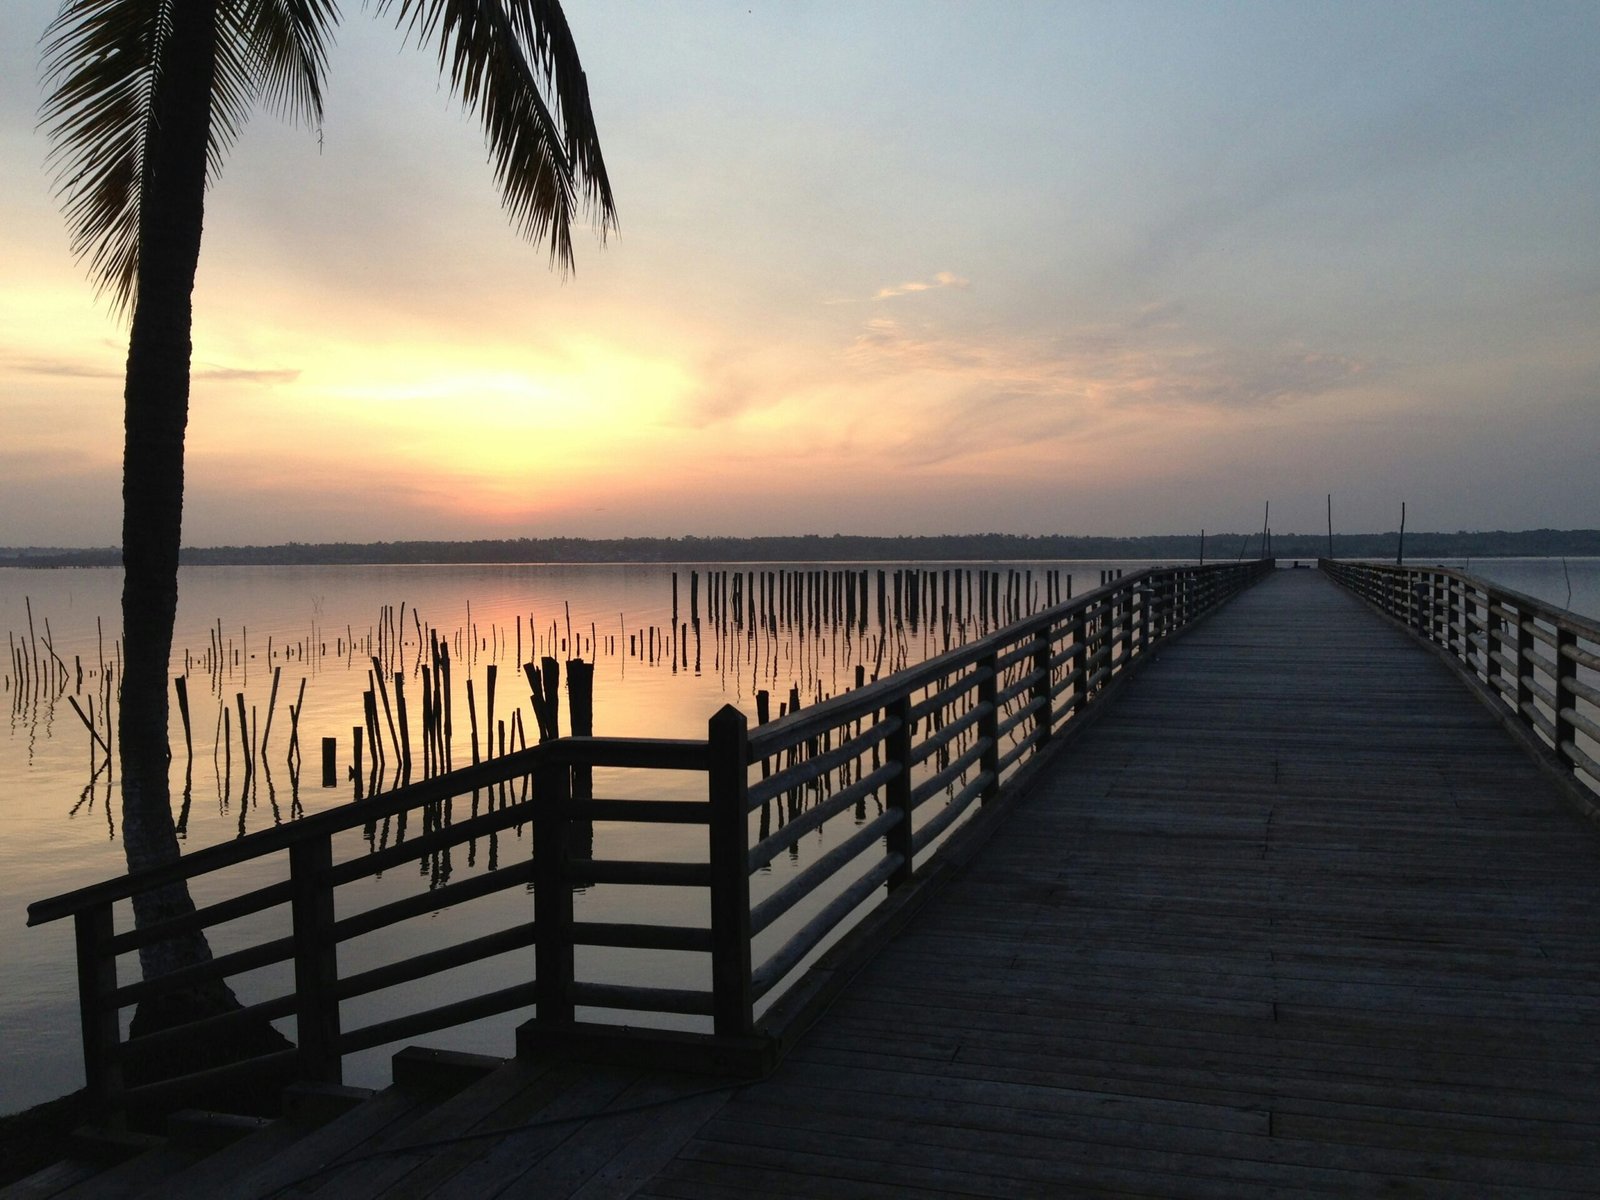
(730, 889)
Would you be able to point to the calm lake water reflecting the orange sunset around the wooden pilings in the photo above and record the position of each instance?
(244, 630)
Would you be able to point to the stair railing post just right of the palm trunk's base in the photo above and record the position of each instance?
(316, 959)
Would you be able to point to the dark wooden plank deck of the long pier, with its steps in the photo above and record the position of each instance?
(1294, 918)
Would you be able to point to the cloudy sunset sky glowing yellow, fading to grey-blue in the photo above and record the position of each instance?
(882, 268)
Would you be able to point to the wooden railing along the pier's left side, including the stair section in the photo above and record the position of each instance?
(889, 770)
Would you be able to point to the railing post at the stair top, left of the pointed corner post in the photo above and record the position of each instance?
(553, 898)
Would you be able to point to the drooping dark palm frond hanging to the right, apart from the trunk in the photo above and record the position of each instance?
(502, 58)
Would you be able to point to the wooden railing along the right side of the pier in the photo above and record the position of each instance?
(1538, 662)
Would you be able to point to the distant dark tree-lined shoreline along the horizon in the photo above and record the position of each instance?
(846, 548)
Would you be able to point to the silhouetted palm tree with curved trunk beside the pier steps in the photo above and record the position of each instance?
(145, 100)
